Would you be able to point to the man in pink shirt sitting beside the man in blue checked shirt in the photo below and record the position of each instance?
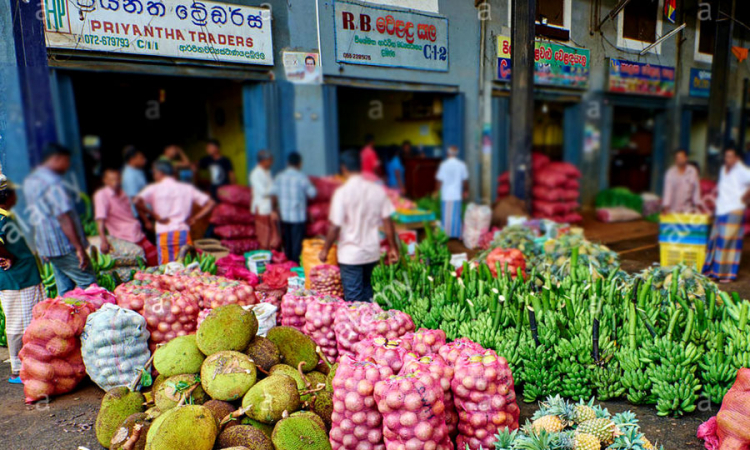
(114, 215)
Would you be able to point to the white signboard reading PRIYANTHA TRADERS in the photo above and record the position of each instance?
(190, 29)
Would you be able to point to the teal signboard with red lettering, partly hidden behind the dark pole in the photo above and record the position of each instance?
(556, 65)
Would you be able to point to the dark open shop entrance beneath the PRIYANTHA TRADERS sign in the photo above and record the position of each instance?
(150, 112)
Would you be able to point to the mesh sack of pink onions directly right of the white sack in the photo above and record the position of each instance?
(170, 315)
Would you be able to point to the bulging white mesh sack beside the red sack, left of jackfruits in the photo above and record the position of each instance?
(114, 346)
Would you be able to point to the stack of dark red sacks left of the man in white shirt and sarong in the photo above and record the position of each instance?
(232, 220)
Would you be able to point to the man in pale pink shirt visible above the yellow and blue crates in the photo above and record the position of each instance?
(682, 192)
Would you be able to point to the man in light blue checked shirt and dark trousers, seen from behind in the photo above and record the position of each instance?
(290, 192)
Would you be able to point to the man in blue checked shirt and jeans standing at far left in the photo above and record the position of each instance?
(58, 234)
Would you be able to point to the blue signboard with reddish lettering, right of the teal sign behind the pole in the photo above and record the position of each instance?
(629, 77)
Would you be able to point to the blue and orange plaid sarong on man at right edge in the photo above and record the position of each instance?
(725, 246)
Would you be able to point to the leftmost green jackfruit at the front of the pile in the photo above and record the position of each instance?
(118, 403)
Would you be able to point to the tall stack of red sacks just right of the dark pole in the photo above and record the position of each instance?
(556, 191)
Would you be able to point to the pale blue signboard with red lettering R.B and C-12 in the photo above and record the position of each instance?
(382, 36)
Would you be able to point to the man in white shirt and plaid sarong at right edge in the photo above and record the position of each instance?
(725, 245)
